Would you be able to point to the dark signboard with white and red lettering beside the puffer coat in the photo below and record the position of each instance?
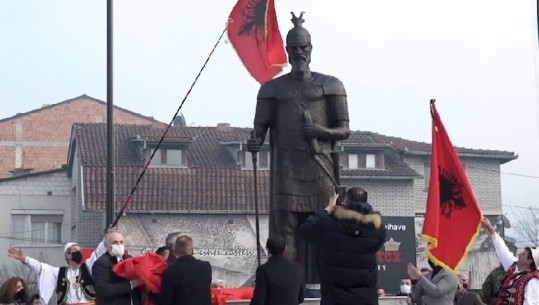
(396, 252)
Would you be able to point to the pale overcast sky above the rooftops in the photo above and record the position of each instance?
(477, 58)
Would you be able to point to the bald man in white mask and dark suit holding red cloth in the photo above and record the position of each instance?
(111, 289)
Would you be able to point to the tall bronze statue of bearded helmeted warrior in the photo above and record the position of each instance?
(306, 113)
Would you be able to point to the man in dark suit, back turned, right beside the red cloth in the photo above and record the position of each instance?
(186, 282)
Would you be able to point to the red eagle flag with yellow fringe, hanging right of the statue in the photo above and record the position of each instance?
(453, 217)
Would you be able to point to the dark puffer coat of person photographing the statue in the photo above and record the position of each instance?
(348, 242)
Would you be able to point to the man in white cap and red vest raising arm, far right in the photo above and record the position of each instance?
(521, 282)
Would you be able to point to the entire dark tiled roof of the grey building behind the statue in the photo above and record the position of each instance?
(213, 181)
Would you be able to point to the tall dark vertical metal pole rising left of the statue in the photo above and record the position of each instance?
(109, 211)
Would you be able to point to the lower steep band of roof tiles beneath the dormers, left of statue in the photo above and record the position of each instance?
(174, 189)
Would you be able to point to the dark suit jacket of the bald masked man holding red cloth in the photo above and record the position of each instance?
(111, 289)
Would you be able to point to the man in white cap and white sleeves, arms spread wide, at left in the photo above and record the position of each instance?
(73, 283)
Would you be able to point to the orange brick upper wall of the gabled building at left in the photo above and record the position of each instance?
(43, 136)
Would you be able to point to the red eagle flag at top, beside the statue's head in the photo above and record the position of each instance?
(254, 33)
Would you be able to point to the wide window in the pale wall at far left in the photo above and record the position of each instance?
(36, 229)
